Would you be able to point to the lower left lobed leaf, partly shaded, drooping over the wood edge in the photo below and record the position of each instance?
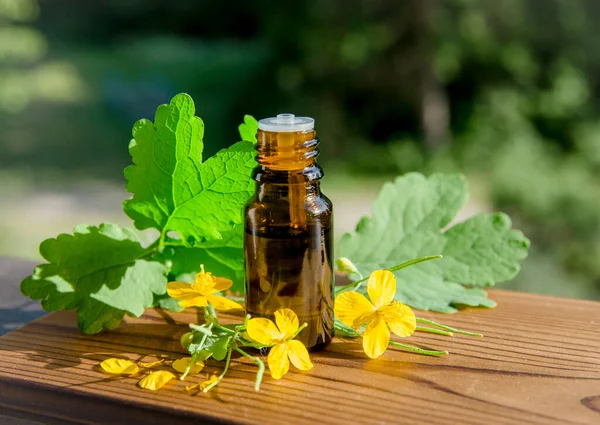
(100, 271)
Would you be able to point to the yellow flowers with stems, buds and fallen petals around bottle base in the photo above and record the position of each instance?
(373, 319)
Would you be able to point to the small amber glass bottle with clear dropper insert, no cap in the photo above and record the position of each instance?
(288, 230)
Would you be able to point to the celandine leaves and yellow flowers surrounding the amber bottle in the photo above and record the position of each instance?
(104, 272)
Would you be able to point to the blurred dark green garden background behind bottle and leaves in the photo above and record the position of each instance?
(504, 91)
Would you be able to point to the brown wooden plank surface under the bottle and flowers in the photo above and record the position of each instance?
(539, 363)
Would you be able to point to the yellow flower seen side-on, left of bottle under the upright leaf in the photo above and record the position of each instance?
(201, 292)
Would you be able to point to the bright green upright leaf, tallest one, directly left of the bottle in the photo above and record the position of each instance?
(173, 190)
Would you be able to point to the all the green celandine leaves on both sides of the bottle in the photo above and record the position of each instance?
(104, 272)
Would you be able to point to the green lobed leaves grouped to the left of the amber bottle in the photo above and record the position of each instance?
(104, 272)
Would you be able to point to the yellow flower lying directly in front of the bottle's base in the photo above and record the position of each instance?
(285, 349)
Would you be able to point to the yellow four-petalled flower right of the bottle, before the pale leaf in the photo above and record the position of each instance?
(382, 314)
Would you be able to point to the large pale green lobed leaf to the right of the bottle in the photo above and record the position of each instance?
(409, 216)
